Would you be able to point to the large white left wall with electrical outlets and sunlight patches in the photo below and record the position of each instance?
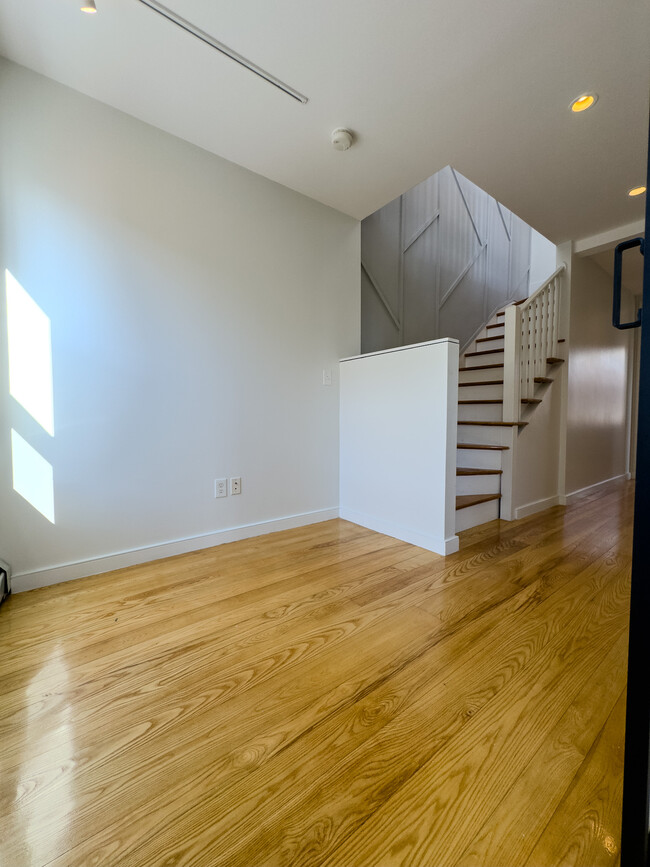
(193, 306)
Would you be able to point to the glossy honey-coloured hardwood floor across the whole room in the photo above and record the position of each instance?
(327, 695)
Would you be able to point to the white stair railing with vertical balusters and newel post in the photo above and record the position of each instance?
(532, 332)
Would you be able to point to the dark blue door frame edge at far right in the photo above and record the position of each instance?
(634, 835)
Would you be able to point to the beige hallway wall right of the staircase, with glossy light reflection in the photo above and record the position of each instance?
(597, 403)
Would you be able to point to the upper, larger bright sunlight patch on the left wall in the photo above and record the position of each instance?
(30, 354)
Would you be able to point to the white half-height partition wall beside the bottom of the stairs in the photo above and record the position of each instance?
(398, 443)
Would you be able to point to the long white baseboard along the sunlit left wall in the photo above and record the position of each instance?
(22, 581)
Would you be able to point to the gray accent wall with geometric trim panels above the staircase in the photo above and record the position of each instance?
(438, 262)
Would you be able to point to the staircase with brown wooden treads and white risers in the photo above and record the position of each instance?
(483, 434)
